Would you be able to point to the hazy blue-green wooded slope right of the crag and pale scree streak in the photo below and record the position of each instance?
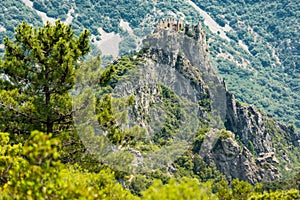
(268, 71)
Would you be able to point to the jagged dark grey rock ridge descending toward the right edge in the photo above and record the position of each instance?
(262, 135)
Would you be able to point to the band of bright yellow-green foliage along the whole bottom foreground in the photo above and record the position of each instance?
(33, 171)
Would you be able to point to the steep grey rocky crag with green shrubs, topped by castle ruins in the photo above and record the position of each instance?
(183, 105)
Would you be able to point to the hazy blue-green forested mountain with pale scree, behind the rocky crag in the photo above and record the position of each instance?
(254, 45)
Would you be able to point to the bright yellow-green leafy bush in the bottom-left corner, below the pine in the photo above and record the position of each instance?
(34, 171)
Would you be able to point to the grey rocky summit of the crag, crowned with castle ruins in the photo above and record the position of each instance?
(171, 40)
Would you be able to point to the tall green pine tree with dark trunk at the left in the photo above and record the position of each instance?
(38, 70)
